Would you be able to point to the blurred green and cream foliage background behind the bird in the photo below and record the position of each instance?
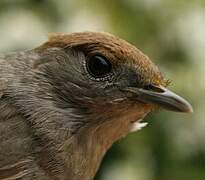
(172, 34)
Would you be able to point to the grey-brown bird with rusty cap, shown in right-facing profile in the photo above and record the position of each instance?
(64, 103)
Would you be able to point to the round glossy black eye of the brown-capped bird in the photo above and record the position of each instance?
(99, 66)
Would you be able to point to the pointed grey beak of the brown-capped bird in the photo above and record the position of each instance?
(162, 97)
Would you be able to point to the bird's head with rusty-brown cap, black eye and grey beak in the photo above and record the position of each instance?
(103, 78)
